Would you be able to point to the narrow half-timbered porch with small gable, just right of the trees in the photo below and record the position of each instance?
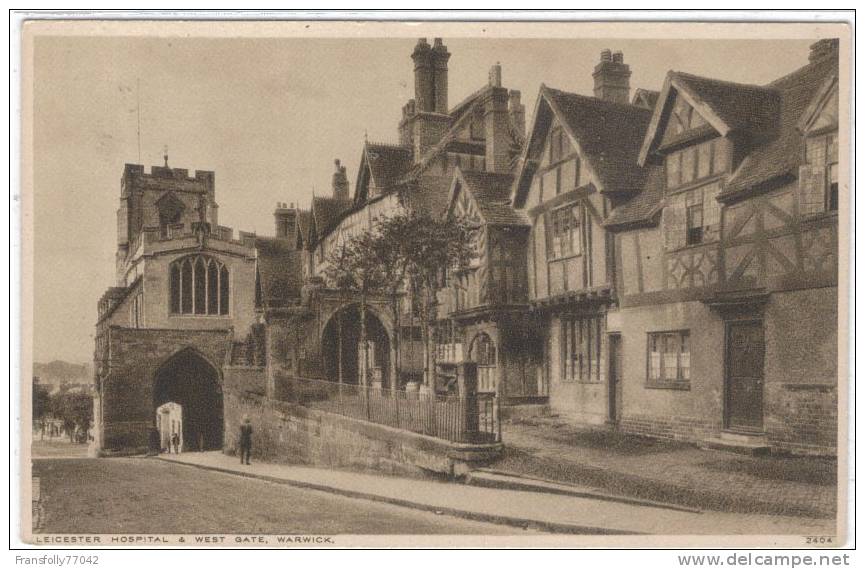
(485, 304)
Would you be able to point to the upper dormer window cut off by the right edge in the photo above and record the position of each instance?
(818, 177)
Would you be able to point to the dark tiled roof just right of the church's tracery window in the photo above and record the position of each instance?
(279, 271)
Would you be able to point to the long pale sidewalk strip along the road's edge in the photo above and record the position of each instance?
(533, 510)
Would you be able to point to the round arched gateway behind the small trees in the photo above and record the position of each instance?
(341, 347)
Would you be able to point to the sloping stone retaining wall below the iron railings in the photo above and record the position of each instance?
(284, 432)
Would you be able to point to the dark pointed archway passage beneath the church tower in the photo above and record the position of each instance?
(191, 382)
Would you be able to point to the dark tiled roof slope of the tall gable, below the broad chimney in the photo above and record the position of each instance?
(610, 134)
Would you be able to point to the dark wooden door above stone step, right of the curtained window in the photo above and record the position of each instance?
(744, 375)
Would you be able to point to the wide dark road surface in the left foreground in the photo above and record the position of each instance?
(140, 495)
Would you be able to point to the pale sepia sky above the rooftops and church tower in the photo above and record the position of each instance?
(269, 116)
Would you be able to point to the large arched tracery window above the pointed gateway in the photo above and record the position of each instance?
(199, 285)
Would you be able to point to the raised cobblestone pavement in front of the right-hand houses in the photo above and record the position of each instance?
(669, 471)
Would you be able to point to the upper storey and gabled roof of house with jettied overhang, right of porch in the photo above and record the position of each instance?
(579, 161)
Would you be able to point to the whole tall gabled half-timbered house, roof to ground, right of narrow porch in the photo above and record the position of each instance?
(580, 161)
